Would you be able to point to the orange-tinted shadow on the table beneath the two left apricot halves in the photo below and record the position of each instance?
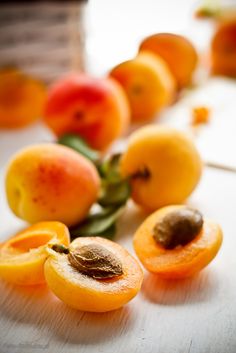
(38, 307)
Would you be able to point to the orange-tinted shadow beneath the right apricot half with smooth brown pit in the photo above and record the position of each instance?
(200, 288)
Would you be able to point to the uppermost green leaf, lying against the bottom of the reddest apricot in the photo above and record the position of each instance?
(78, 144)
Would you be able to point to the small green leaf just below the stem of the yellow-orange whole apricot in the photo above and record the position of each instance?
(113, 194)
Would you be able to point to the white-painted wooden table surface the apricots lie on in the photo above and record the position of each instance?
(197, 315)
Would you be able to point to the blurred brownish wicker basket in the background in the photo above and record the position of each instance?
(43, 39)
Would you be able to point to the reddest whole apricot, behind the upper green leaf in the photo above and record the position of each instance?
(96, 109)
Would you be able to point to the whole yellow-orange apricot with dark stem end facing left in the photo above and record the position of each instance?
(163, 165)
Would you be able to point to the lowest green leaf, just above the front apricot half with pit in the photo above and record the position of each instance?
(97, 225)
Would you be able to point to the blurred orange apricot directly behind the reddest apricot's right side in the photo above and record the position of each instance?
(148, 83)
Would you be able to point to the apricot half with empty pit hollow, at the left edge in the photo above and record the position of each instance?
(22, 257)
